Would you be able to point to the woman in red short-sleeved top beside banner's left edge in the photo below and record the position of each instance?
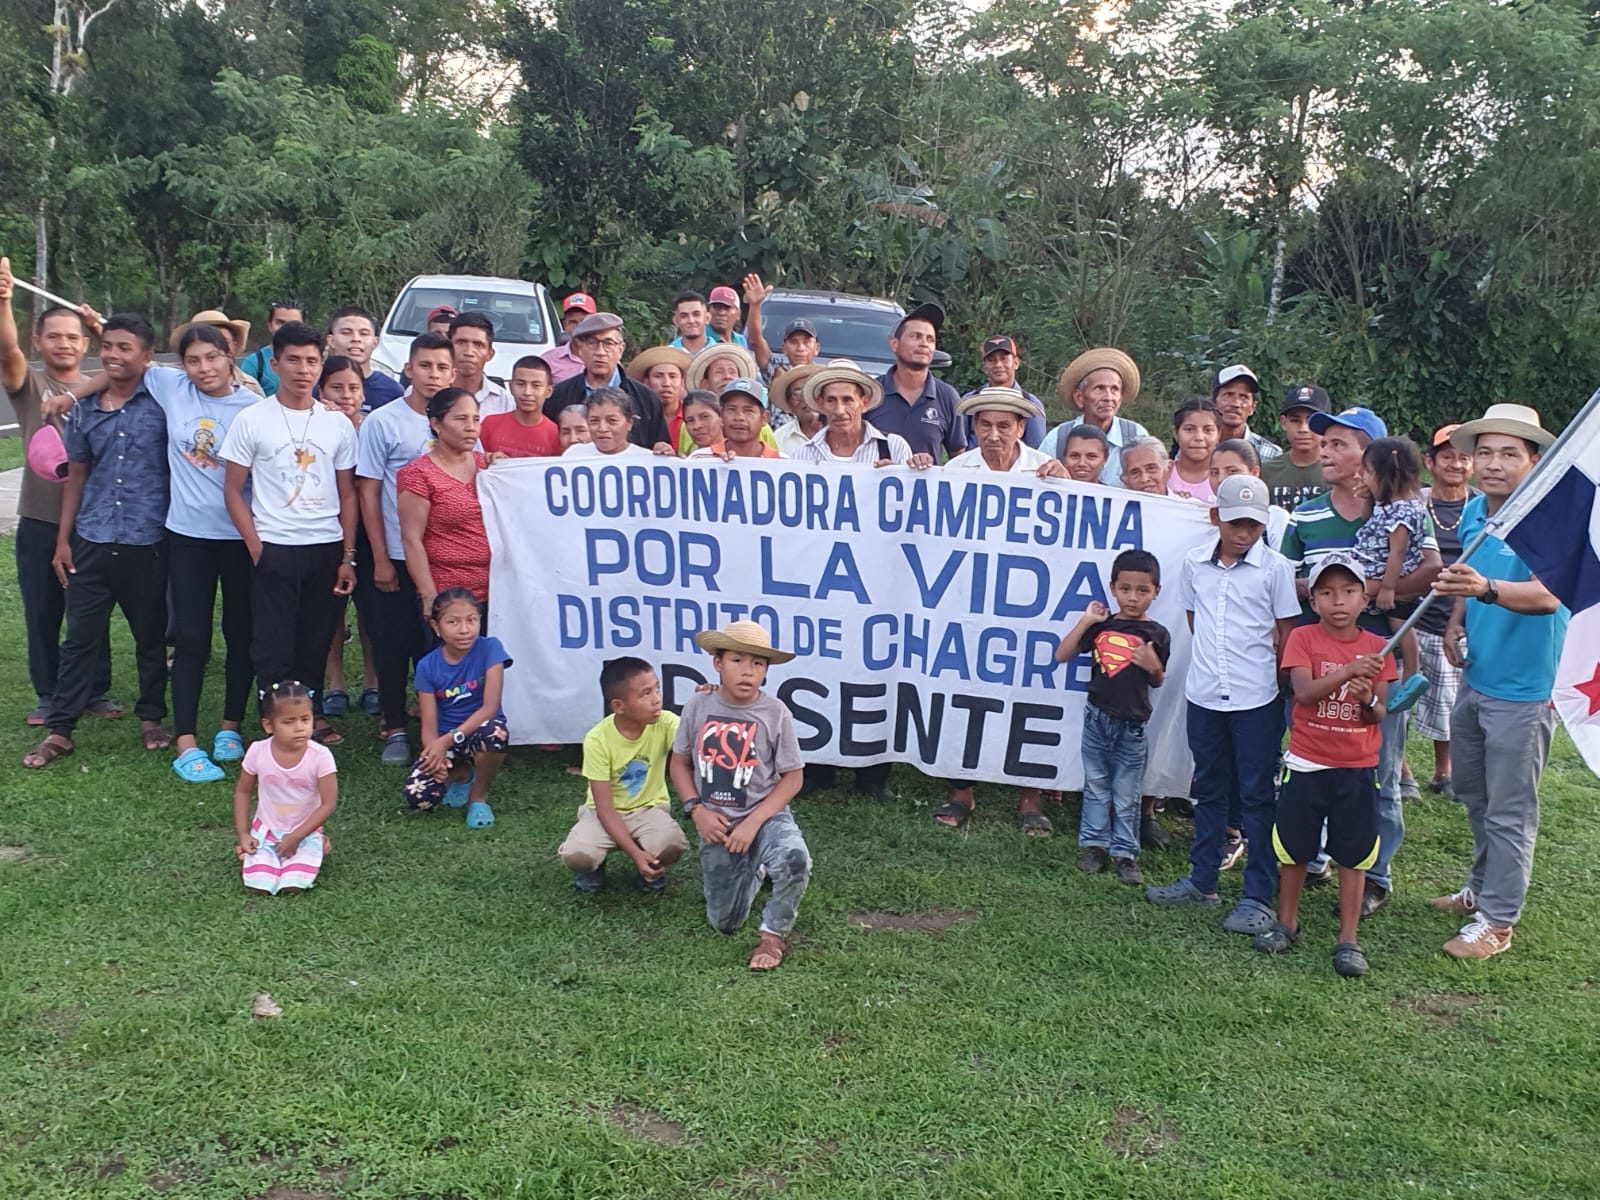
(441, 519)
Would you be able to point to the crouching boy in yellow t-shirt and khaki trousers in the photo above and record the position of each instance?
(626, 766)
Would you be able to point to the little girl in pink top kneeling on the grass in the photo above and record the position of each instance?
(297, 790)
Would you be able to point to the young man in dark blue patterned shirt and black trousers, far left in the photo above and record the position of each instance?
(111, 550)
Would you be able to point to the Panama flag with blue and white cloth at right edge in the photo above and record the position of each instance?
(1553, 522)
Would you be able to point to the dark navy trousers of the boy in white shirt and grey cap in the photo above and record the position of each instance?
(1236, 751)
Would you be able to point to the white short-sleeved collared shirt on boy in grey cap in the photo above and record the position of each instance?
(1236, 609)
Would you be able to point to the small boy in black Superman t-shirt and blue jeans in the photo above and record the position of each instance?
(1129, 658)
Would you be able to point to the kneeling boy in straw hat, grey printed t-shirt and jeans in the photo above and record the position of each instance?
(737, 766)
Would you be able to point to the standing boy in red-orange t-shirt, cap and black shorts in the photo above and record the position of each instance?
(1330, 772)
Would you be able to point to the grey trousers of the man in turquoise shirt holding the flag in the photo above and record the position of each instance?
(1498, 753)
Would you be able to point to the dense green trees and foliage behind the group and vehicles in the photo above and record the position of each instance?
(1398, 198)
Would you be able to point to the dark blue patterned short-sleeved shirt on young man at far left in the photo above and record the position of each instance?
(127, 487)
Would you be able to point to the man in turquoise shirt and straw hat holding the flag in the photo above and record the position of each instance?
(1500, 730)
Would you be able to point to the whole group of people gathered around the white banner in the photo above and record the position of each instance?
(305, 474)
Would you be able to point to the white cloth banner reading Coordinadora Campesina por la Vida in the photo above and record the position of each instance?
(926, 607)
